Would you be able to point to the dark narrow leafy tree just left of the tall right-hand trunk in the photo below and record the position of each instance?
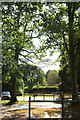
(64, 72)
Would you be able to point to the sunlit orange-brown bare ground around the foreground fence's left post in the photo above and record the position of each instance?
(23, 114)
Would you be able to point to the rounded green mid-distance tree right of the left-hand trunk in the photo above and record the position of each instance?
(32, 76)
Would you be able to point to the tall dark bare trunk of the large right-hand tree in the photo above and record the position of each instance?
(72, 56)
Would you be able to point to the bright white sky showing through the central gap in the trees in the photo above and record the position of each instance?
(51, 65)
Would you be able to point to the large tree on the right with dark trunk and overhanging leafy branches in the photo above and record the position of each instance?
(60, 25)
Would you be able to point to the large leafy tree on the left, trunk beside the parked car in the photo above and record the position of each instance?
(17, 30)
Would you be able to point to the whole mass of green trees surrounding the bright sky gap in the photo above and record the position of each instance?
(60, 24)
